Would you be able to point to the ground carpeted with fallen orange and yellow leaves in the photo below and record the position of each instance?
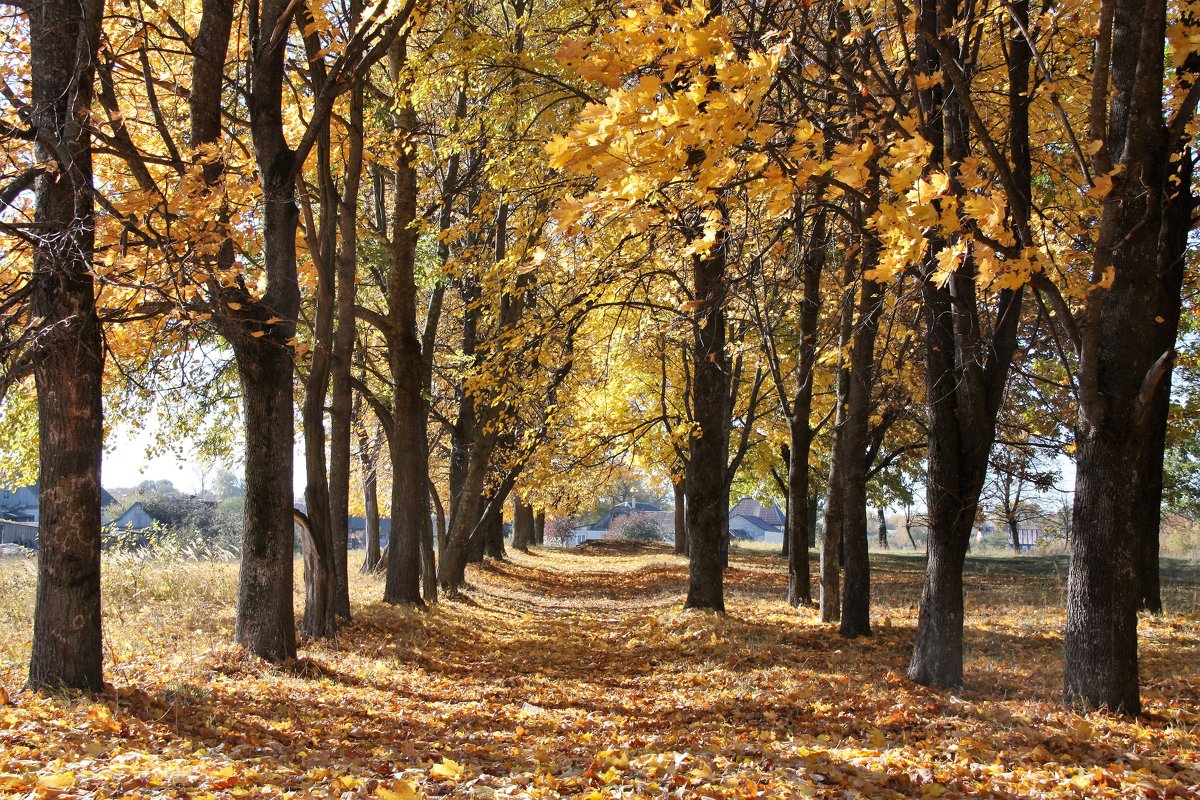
(578, 675)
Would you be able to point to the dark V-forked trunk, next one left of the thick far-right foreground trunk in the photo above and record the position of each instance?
(965, 371)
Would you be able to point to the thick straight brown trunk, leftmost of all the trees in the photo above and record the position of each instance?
(69, 357)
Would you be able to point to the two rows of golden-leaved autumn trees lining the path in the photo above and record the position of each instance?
(487, 257)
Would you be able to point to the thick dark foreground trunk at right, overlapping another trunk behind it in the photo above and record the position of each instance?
(1125, 364)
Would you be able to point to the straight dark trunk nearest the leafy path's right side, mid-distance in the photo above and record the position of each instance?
(709, 494)
